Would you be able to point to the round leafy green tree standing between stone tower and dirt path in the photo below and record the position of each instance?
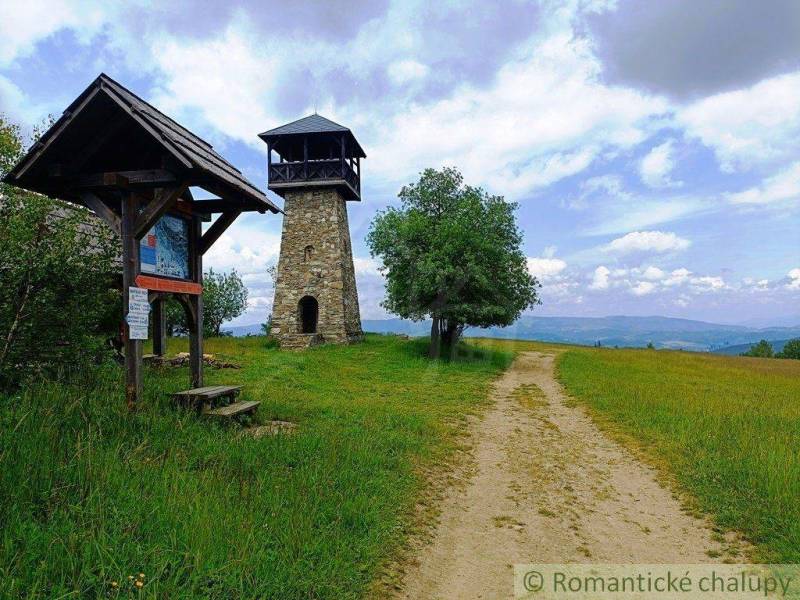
(453, 253)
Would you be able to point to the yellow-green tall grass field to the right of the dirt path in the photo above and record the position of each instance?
(726, 428)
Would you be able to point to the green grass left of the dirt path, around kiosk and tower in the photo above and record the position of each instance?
(90, 495)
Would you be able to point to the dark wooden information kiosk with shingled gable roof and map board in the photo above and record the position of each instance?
(133, 166)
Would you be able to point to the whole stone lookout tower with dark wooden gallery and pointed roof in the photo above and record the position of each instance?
(318, 169)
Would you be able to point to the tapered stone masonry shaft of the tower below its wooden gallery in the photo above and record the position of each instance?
(316, 260)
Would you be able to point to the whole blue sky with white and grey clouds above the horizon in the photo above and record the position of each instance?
(654, 157)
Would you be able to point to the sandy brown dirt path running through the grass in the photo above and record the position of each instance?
(548, 487)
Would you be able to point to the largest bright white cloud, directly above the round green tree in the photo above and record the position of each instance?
(546, 116)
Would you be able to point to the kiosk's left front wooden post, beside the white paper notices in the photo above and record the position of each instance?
(130, 269)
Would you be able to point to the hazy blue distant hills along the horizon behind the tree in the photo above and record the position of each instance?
(663, 332)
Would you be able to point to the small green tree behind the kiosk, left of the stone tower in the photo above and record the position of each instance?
(224, 298)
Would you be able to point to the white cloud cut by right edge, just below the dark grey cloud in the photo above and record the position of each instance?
(757, 125)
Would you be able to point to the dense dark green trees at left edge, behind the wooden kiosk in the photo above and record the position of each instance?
(55, 278)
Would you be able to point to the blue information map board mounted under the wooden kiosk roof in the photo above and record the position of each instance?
(165, 249)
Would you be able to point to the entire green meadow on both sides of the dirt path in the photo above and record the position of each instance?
(97, 502)
